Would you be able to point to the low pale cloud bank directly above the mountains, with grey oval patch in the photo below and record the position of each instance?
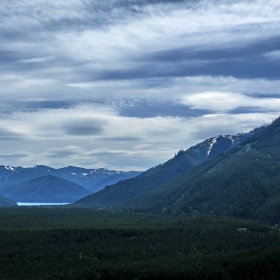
(123, 141)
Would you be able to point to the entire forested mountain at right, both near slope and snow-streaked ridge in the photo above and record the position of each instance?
(242, 182)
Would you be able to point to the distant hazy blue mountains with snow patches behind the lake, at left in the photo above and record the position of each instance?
(46, 184)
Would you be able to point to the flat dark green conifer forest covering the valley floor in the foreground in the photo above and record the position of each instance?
(75, 243)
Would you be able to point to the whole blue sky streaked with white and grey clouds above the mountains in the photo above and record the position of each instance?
(125, 84)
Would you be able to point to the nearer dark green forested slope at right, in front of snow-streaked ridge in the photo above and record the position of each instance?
(243, 183)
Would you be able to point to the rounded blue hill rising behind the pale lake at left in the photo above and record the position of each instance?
(45, 189)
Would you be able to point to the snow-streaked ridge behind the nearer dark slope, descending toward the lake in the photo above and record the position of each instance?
(122, 191)
